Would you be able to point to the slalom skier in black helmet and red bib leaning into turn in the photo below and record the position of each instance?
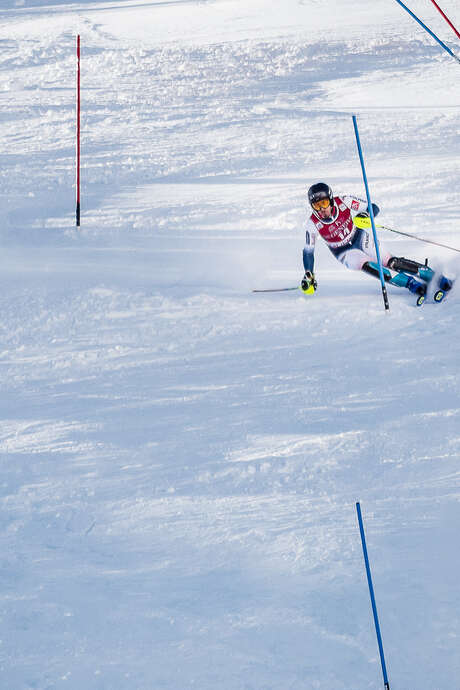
(333, 218)
